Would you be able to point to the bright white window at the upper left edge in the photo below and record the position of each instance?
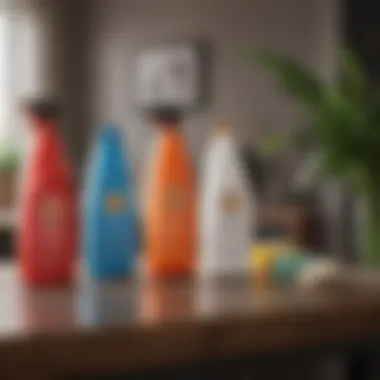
(18, 68)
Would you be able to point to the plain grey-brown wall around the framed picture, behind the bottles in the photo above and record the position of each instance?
(240, 95)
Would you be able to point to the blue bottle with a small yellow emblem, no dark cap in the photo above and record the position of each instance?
(110, 225)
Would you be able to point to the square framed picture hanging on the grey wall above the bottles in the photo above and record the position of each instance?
(171, 76)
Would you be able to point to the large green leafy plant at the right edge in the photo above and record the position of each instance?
(341, 127)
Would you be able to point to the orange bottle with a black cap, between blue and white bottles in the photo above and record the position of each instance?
(170, 204)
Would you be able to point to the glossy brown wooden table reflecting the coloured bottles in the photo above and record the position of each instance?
(135, 325)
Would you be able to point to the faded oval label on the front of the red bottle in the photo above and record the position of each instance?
(51, 217)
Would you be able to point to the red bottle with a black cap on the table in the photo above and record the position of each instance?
(47, 236)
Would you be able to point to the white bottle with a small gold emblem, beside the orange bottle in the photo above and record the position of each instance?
(226, 209)
